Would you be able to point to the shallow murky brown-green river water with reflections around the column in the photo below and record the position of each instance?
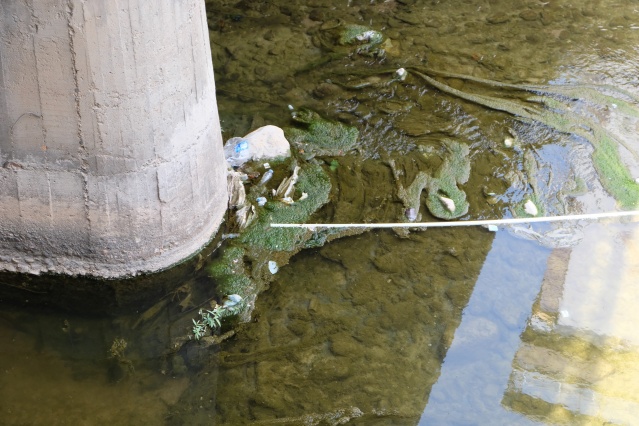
(449, 326)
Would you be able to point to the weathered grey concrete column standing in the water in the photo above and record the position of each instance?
(111, 158)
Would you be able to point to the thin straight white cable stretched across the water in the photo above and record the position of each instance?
(487, 222)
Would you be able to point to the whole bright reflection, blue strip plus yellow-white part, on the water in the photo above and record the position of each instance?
(574, 360)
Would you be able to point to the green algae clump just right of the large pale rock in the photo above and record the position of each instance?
(317, 136)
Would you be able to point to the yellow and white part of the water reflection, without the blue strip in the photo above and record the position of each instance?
(579, 356)
